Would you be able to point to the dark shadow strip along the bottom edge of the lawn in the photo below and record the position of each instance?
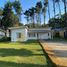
(13, 64)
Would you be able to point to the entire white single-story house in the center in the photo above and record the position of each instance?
(24, 33)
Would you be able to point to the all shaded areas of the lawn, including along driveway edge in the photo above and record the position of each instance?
(24, 53)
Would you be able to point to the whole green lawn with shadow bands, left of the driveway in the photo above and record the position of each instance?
(28, 54)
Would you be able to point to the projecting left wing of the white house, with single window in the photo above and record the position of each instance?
(18, 33)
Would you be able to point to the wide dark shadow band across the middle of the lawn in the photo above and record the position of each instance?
(17, 52)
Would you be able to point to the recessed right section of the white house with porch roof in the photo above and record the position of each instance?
(39, 33)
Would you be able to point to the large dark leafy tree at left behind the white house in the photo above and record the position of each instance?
(9, 17)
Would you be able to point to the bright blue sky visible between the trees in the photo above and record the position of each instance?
(26, 4)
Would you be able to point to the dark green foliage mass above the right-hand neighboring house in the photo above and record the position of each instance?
(56, 22)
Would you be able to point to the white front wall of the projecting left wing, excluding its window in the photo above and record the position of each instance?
(14, 34)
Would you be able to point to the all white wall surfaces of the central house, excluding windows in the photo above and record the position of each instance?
(25, 32)
